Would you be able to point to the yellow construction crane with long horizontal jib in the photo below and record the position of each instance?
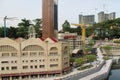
(83, 27)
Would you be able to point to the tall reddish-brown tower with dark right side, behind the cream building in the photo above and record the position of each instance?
(50, 18)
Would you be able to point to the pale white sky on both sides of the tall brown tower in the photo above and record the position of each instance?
(67, 9)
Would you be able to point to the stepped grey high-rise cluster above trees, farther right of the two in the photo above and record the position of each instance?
(104, 16)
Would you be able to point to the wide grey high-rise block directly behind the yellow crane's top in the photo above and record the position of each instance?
(87, 19)
